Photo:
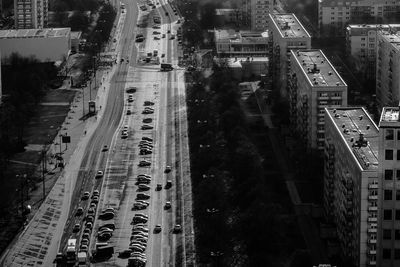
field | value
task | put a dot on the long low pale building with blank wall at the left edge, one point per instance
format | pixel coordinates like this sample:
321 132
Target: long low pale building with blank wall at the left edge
46 45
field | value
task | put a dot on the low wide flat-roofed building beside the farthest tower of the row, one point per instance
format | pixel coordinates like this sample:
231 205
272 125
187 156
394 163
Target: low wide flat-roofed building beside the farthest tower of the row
230 43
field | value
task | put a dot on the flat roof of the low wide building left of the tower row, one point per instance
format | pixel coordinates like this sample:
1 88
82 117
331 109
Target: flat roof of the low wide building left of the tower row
241 36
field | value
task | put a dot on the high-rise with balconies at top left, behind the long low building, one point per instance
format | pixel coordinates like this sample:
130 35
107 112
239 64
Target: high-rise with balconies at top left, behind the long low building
30 14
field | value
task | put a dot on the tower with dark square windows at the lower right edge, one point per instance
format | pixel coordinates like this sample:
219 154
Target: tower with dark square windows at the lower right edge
388 245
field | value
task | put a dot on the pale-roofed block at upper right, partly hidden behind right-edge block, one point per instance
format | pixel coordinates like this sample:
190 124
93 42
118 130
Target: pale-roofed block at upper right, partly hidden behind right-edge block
361 42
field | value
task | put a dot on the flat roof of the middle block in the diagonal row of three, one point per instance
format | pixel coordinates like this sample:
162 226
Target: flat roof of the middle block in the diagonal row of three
317 68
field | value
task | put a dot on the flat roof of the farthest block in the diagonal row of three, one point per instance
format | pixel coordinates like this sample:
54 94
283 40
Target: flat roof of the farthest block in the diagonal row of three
289 26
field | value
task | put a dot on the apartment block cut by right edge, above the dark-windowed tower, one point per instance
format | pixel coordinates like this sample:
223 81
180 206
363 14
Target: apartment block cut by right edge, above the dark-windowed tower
388 69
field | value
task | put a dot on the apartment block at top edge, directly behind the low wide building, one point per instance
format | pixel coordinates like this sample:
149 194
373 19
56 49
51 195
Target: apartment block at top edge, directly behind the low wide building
255 13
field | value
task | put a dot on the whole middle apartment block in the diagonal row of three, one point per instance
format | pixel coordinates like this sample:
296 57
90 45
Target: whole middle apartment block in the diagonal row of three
313 84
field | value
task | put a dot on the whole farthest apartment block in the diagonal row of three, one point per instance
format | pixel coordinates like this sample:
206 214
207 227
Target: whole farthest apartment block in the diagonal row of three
286 33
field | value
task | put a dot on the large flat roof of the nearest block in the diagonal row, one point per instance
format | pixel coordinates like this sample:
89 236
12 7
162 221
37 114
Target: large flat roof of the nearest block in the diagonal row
359 132
